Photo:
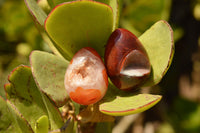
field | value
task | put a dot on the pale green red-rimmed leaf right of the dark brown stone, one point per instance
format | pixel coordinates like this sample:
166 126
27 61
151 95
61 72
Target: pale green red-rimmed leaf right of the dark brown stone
159 44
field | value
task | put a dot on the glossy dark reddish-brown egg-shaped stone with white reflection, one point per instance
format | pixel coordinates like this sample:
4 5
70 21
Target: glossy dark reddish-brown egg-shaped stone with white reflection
126 60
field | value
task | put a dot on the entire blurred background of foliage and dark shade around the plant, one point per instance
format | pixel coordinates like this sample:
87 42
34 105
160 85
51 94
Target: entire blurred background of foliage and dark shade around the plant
179 110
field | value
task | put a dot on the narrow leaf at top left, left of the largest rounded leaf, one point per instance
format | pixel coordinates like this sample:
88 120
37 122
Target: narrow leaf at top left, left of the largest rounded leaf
38 14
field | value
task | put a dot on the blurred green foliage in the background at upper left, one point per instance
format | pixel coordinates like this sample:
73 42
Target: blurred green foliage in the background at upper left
18 37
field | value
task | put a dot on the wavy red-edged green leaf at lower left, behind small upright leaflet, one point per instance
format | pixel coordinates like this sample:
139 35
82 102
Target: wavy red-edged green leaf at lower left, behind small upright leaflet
31 103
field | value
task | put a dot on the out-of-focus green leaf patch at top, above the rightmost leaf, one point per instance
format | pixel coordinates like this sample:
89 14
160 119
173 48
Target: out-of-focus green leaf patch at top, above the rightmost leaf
139 15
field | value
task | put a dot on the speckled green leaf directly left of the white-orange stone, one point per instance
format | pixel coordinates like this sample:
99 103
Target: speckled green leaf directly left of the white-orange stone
49 71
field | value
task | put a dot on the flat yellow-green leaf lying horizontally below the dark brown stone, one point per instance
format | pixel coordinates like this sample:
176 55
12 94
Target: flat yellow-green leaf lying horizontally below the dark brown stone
129 105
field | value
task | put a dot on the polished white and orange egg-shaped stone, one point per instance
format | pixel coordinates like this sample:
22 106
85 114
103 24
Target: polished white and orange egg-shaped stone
86 80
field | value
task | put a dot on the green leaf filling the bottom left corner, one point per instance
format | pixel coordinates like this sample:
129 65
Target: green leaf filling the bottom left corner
10 119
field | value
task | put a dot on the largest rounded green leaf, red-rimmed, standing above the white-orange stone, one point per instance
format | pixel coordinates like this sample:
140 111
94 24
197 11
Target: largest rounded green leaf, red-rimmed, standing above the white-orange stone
78 24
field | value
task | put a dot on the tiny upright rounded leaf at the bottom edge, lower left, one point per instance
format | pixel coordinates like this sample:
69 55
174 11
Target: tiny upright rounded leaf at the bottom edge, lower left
42 125
